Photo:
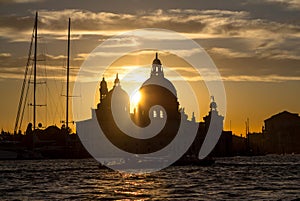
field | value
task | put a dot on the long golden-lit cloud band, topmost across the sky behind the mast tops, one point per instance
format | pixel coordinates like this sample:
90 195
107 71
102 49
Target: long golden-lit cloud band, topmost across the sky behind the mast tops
217 23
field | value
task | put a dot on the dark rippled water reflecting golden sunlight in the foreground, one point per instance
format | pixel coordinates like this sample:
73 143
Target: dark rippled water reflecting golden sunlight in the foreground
237 178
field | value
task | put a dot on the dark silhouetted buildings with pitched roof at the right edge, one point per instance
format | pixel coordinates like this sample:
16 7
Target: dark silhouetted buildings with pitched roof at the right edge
280 135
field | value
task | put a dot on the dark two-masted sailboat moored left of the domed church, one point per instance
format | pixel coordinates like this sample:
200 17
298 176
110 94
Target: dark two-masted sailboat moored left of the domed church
50 142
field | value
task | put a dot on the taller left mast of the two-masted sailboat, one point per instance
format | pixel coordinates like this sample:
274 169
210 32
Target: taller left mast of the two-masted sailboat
34 71
